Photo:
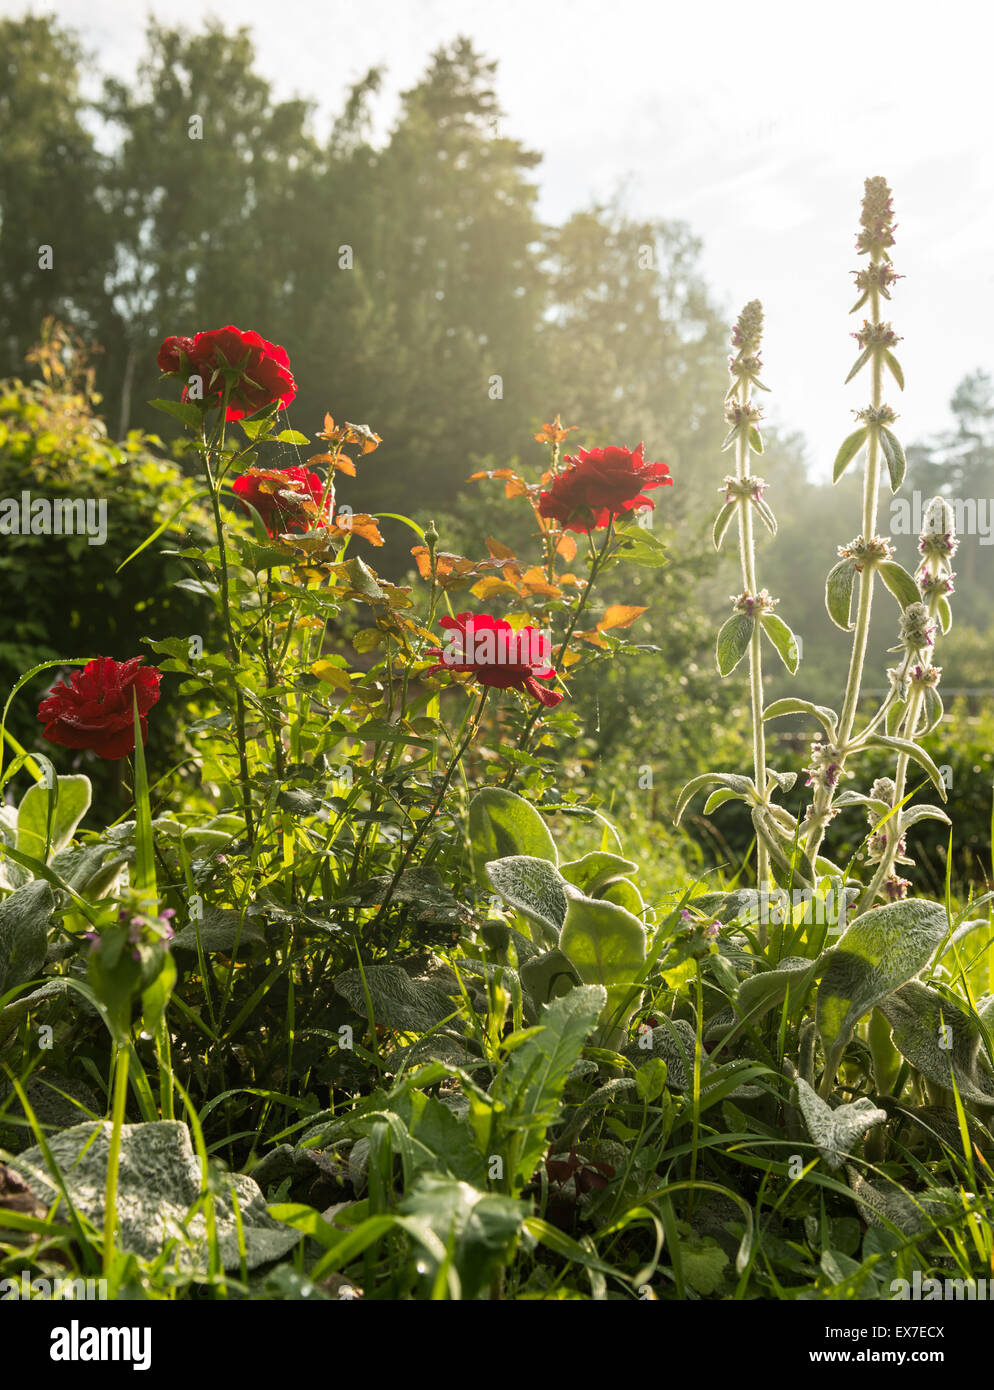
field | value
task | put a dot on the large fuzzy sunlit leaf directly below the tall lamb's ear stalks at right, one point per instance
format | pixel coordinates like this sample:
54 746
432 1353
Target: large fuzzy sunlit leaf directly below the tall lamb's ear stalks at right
879 953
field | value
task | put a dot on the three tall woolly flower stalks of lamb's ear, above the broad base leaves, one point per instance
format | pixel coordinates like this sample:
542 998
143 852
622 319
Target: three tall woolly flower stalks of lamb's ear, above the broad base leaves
790 850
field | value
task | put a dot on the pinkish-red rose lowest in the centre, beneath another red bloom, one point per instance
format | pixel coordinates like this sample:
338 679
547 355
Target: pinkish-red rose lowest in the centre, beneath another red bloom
497 654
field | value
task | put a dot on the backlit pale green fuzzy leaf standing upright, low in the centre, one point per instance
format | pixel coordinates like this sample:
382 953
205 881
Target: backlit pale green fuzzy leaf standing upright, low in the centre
607 946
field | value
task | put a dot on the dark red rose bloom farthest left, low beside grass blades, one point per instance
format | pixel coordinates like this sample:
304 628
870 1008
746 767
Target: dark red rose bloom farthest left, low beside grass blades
97 711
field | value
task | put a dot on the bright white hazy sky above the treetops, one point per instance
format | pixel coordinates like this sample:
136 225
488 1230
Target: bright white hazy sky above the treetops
756 124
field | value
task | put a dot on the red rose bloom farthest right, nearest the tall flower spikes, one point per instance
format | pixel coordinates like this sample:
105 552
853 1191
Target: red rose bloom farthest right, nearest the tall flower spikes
601 484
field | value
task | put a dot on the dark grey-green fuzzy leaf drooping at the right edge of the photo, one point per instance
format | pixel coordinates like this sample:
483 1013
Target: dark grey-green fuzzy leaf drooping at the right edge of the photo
942 1040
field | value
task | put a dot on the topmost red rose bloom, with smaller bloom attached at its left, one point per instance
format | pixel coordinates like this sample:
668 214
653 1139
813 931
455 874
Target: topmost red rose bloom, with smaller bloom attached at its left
265 373
